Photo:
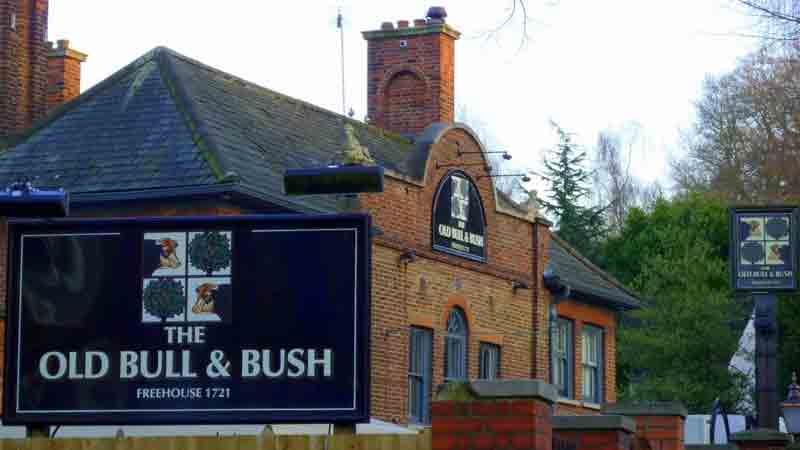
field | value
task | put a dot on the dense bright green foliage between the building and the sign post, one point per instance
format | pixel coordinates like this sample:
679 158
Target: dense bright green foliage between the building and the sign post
679 346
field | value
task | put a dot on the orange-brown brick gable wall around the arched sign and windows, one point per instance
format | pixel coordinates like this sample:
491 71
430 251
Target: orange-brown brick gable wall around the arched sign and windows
422 293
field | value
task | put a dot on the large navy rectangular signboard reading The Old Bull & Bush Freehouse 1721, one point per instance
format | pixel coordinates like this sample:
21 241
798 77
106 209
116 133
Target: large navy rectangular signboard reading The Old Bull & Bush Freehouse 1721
251 319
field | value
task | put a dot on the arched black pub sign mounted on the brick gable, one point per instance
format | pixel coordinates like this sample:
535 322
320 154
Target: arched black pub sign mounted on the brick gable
459 224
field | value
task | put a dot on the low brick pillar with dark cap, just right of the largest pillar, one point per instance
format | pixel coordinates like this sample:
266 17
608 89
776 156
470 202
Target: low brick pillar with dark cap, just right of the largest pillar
595 432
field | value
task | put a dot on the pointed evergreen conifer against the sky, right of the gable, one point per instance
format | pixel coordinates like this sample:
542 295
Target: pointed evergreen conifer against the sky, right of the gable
568 191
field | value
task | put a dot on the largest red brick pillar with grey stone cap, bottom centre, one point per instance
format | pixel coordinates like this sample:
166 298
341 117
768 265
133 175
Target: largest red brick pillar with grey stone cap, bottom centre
497 415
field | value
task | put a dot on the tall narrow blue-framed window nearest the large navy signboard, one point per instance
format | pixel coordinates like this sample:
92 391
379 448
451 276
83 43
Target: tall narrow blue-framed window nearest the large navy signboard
419 374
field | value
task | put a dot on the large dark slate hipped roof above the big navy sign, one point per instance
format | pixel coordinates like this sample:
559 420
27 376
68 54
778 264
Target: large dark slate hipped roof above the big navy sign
169 122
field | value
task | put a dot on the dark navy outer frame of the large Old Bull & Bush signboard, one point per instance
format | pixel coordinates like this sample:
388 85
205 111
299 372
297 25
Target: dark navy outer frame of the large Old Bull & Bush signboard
136 227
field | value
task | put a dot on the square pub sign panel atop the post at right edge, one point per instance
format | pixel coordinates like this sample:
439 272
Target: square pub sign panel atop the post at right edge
763 250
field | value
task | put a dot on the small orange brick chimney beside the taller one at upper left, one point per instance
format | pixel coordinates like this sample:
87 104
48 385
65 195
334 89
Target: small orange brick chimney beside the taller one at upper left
63 74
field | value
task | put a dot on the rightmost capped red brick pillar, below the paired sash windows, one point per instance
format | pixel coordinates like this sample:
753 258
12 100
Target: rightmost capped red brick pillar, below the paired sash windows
659 424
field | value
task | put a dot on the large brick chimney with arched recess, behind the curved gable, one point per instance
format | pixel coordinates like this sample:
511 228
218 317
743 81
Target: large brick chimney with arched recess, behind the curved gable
410 77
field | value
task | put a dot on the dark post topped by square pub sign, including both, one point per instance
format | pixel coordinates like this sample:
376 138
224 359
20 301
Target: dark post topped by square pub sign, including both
764 261
